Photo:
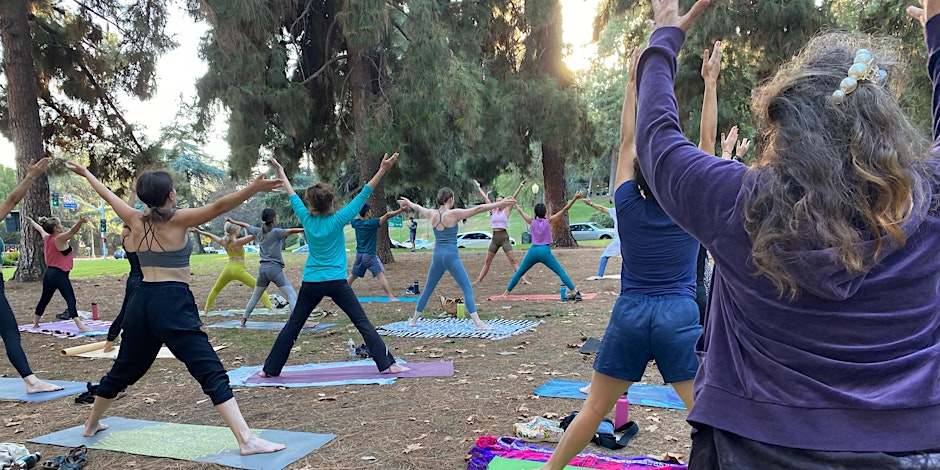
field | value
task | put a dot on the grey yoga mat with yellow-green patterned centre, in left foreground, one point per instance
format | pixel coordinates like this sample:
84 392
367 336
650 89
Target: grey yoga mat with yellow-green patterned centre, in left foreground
213 444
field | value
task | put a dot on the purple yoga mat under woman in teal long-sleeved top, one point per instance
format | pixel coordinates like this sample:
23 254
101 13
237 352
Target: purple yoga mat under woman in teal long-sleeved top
333 374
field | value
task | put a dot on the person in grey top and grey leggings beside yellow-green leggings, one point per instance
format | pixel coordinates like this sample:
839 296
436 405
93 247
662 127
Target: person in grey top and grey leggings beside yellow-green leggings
271 269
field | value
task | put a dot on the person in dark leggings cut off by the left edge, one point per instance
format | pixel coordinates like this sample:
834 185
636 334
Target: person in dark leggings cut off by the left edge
9 330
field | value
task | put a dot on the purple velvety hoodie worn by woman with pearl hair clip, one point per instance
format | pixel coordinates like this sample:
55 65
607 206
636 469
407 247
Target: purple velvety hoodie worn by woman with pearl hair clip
854 363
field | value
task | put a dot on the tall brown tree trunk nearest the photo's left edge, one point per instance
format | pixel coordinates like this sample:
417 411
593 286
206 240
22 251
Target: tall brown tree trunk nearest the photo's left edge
25 129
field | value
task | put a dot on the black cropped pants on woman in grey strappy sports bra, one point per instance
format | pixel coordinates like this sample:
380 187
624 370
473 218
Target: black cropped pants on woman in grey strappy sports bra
161 313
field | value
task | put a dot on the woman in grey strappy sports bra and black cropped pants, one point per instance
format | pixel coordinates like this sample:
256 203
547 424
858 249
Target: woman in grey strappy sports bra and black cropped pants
162 309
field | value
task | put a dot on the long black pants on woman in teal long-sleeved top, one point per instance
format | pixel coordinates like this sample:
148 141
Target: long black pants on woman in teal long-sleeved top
311 293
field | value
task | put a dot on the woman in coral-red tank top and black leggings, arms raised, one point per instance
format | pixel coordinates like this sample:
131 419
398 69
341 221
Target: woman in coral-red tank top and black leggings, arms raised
59 260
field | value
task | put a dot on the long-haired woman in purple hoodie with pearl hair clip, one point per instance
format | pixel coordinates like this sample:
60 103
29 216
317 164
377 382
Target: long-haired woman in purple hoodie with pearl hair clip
822 340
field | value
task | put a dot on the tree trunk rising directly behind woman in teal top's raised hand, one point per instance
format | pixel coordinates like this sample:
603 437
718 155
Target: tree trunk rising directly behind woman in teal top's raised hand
362 77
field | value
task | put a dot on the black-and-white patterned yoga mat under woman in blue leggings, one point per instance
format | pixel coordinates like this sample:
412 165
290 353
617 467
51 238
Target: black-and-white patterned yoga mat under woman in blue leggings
457 328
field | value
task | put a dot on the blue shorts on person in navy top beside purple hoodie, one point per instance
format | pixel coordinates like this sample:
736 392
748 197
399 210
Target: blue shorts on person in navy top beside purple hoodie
664 328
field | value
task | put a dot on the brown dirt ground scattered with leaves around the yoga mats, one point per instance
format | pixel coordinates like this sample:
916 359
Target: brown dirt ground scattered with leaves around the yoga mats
425 423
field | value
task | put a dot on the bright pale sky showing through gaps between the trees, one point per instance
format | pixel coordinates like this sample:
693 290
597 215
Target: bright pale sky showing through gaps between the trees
178 70
